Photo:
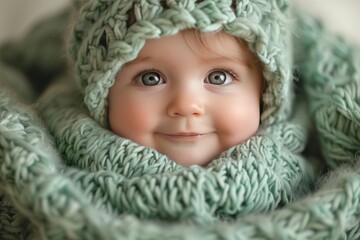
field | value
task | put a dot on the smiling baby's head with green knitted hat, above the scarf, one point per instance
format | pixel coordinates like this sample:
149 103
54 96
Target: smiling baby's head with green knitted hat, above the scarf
190 79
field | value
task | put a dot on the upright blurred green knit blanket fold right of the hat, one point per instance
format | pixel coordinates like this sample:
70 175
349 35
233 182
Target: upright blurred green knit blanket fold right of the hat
331 73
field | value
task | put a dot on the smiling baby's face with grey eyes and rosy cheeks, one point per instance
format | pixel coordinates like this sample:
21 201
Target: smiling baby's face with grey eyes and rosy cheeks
185 100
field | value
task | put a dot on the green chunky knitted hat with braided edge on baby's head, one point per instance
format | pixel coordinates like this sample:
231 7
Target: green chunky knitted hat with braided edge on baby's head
105 37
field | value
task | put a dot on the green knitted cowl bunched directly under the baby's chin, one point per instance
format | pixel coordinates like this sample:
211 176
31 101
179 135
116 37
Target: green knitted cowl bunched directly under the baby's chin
256 176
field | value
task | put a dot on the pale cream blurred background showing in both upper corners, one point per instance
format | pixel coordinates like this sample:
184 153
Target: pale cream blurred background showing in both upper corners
341 16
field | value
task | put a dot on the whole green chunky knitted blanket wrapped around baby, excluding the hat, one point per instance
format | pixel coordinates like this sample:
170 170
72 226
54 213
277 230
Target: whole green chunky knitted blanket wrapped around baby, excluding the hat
62 176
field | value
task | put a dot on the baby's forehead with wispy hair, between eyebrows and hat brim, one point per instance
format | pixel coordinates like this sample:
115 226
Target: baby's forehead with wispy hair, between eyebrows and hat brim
206 46
